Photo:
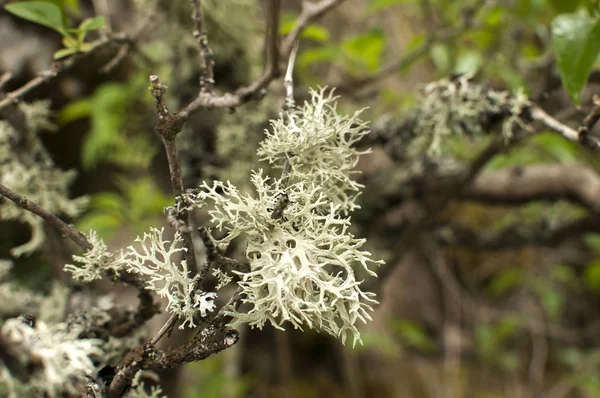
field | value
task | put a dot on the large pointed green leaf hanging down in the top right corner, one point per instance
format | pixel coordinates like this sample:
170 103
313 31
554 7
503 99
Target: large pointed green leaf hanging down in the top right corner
576 45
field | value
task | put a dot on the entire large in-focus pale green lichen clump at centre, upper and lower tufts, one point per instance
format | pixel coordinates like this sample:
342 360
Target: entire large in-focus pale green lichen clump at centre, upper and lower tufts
300 251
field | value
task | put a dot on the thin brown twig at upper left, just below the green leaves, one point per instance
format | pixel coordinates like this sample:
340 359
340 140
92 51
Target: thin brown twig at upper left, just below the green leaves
60 66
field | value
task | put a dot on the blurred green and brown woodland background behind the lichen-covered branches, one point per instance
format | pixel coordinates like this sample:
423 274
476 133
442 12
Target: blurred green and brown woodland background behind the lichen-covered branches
491 286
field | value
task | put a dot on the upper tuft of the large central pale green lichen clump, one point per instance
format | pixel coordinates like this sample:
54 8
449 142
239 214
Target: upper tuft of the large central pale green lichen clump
318 144
